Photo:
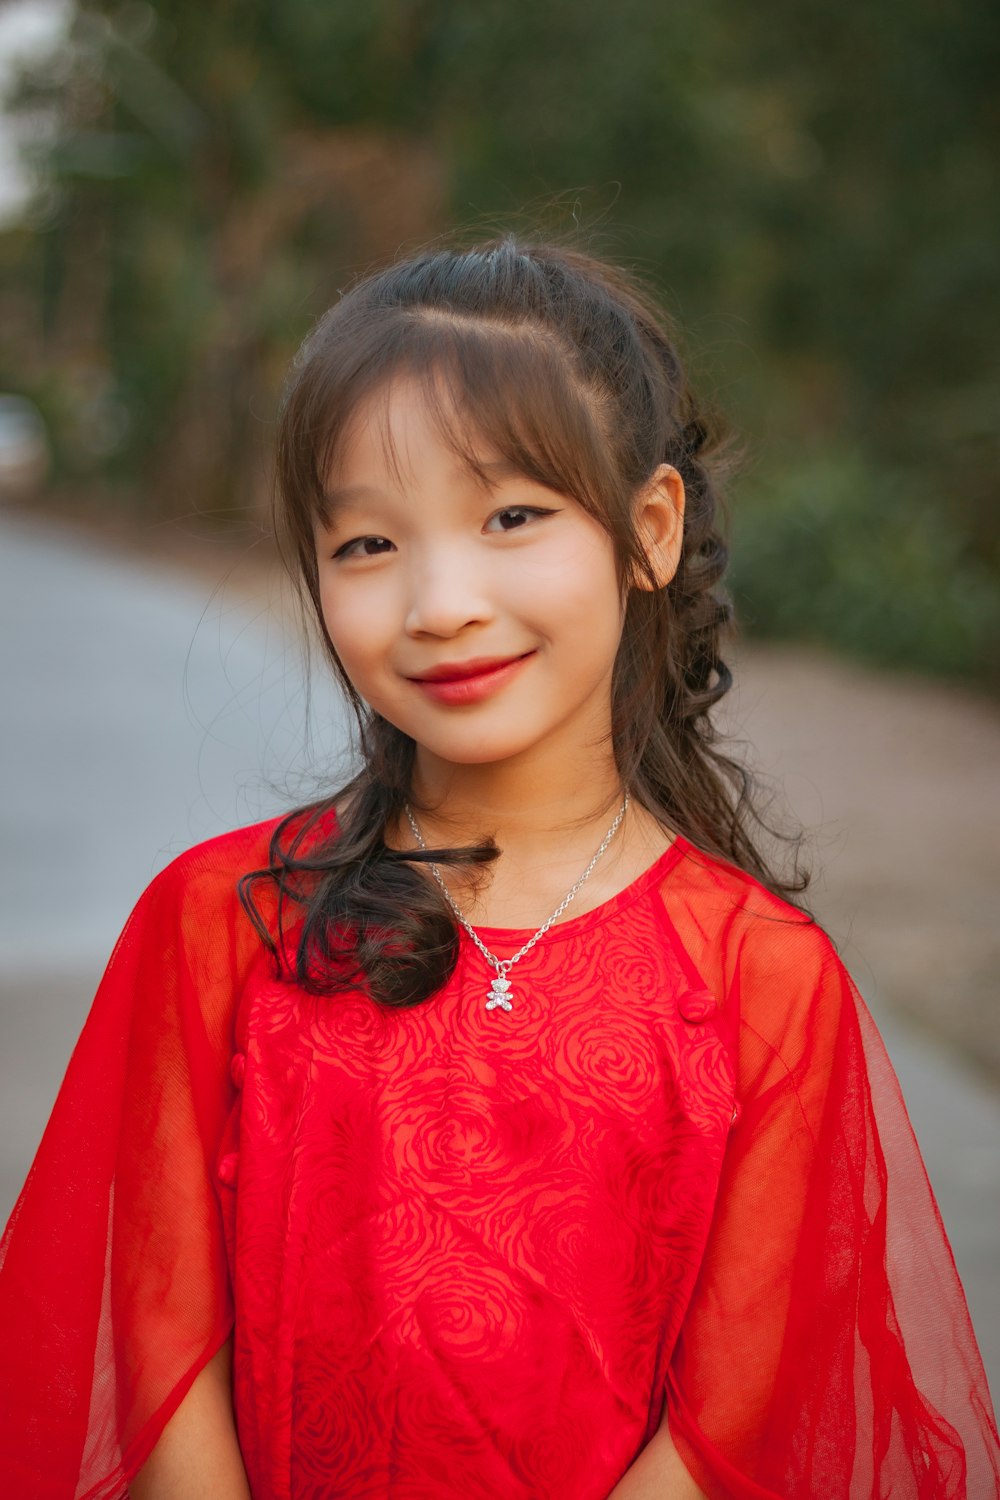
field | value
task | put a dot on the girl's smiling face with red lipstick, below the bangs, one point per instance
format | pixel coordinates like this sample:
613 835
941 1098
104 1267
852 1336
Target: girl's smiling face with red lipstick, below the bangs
484 623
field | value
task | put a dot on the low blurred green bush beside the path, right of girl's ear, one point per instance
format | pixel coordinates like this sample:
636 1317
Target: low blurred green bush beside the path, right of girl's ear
836 550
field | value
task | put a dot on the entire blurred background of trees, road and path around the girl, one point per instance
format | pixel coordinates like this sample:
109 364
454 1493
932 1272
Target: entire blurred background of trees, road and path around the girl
185 188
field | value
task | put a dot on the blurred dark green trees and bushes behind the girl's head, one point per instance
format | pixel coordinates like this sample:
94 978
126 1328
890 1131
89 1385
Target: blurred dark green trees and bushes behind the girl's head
812 188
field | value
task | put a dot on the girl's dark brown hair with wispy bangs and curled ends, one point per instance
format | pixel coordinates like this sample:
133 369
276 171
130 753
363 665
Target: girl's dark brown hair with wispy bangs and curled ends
566 368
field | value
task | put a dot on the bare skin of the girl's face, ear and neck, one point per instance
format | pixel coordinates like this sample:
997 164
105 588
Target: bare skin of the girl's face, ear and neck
422 566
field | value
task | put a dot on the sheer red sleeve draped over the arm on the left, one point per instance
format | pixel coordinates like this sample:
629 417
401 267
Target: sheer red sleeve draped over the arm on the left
115 1283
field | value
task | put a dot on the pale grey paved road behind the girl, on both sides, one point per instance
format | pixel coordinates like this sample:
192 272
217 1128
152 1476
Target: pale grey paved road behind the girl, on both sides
143 712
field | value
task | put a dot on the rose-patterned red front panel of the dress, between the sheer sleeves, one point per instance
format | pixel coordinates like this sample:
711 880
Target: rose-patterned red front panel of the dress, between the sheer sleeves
466 1237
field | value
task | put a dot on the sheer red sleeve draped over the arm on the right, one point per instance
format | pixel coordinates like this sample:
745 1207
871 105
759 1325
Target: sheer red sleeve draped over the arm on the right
828 1348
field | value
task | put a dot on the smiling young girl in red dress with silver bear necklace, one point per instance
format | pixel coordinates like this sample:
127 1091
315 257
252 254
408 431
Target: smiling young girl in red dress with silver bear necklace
496 1127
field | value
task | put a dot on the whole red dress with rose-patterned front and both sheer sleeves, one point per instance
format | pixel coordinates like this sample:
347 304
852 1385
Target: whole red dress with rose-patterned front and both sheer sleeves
469 1253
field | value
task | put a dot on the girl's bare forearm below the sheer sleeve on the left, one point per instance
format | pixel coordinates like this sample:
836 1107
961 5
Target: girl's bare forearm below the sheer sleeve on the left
199 1454
